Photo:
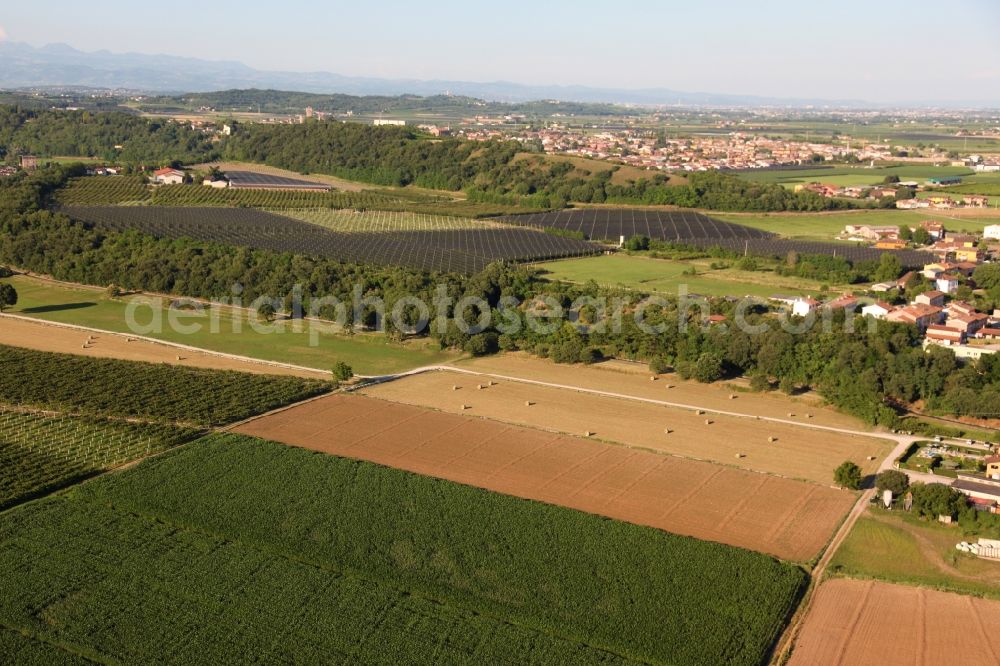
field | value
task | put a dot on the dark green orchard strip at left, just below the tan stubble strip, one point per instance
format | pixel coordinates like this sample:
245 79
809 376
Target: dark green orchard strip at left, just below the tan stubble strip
159 392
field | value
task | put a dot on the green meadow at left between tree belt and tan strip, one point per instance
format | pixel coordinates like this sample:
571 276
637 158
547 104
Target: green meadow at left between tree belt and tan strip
368 354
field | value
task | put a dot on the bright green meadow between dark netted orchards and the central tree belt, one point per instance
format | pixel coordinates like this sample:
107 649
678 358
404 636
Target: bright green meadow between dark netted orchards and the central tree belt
665 276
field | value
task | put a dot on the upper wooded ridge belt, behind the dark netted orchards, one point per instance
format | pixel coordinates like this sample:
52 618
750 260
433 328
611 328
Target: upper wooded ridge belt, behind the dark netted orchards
487 172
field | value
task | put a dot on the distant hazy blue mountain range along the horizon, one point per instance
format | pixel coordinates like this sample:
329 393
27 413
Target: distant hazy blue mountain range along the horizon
26 66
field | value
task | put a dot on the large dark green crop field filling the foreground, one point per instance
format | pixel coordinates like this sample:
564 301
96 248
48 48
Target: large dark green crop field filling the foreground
198 556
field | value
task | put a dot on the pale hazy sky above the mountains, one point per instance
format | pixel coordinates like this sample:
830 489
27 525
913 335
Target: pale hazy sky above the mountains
888 51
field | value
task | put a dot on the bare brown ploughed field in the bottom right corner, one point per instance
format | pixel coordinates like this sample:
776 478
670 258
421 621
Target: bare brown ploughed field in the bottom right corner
866 622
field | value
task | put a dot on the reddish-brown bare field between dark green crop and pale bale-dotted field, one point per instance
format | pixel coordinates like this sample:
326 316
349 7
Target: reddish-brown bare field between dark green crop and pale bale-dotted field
790 519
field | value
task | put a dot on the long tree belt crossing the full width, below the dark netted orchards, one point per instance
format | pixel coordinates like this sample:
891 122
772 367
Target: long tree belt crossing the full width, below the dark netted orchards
864 372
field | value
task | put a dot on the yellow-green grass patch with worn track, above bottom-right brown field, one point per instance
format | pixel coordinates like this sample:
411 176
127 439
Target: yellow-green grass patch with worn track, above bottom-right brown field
899 548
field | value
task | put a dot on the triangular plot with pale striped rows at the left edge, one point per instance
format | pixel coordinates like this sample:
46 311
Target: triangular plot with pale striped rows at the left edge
40 452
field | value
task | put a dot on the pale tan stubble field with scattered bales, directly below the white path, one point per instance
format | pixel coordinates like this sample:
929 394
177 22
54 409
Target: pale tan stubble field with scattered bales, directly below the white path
797 452
